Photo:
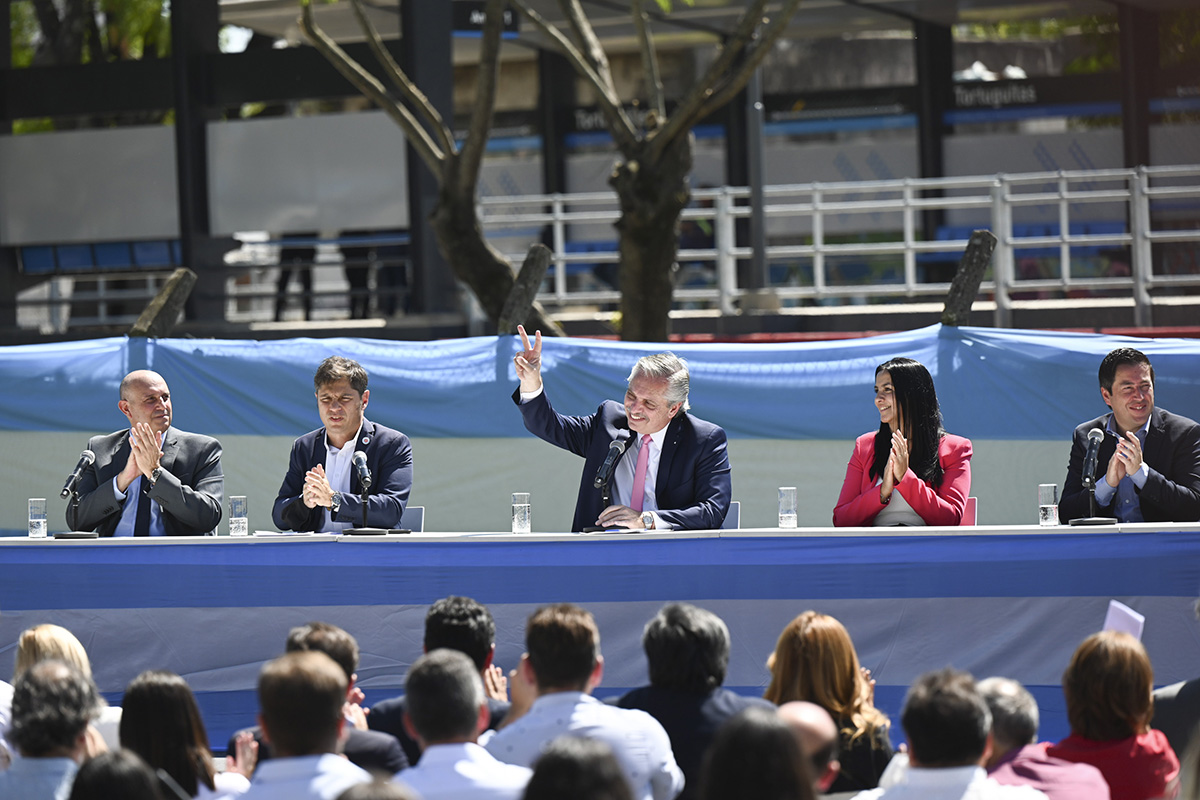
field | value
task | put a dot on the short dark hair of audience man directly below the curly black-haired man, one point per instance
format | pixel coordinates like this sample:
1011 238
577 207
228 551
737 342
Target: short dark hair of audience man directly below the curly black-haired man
443 696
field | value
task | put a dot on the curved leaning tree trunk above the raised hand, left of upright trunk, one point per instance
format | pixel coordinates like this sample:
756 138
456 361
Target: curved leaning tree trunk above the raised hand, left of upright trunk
476 262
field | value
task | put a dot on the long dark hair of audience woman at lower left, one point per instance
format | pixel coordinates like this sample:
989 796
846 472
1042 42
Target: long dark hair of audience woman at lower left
161 723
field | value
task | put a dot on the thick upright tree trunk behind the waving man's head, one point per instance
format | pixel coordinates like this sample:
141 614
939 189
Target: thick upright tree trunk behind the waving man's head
652 197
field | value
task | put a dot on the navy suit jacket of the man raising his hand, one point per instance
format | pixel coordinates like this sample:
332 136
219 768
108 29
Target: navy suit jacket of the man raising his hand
693 488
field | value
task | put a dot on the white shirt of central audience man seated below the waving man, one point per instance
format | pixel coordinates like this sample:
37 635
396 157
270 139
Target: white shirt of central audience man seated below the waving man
641 745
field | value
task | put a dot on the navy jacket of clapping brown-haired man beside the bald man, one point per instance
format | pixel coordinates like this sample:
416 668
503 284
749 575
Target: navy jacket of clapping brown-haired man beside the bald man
391 461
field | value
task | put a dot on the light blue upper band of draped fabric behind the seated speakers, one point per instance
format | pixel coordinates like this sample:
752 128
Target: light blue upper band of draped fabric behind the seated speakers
993 384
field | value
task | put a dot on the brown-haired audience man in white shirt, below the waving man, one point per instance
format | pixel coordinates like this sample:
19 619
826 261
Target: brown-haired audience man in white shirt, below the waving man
561 667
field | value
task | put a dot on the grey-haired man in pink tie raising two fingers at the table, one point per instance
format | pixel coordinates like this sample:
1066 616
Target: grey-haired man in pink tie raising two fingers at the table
686 478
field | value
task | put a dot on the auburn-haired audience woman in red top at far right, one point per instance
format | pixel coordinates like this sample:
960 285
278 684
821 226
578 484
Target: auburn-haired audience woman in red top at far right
1108 688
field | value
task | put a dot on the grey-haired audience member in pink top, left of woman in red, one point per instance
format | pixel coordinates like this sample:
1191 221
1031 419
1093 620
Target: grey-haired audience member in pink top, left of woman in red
1017 760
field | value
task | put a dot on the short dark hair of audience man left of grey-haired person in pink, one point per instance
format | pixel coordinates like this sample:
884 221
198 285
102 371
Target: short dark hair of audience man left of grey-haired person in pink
946 720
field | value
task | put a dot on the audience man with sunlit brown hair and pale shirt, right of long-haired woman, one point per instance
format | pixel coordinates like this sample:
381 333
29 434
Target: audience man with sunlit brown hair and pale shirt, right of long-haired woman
301 697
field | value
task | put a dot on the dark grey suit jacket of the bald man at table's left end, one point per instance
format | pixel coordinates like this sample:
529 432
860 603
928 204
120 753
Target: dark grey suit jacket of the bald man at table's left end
190 491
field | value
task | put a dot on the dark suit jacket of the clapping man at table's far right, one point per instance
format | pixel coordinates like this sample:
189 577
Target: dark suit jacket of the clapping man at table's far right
1172 455
